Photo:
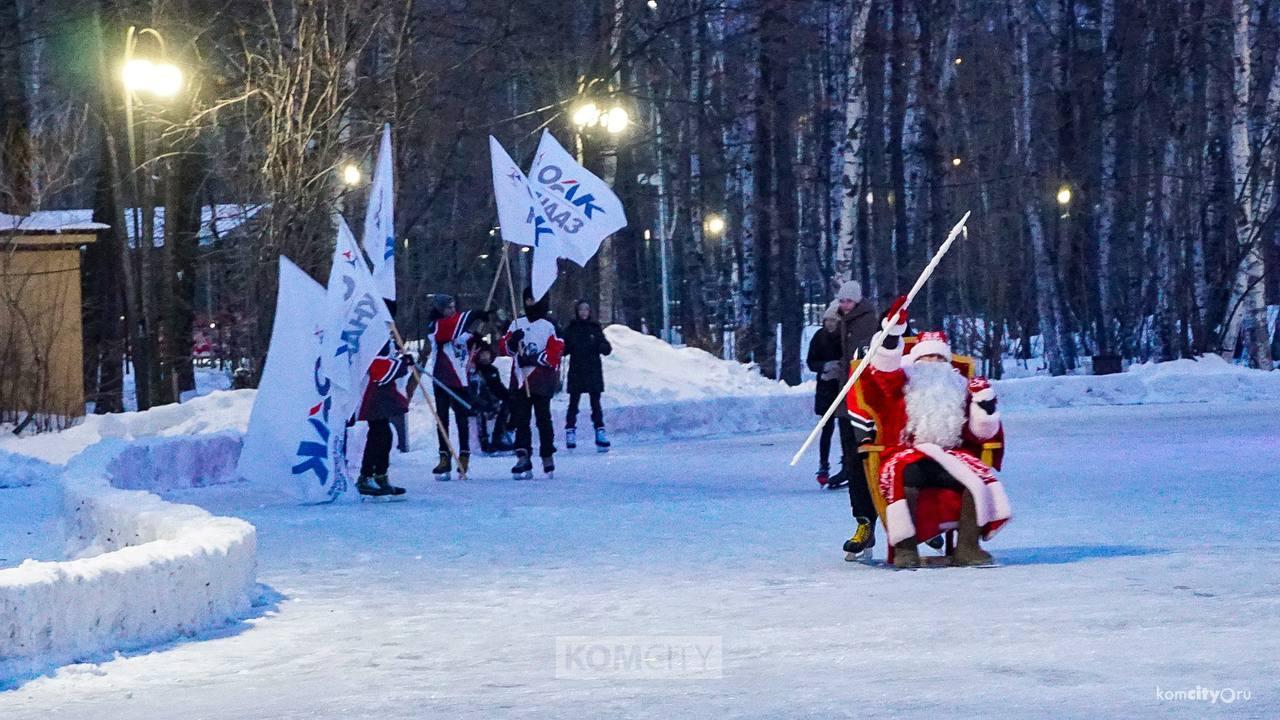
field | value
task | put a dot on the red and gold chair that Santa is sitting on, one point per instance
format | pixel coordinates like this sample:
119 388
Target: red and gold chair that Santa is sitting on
938 508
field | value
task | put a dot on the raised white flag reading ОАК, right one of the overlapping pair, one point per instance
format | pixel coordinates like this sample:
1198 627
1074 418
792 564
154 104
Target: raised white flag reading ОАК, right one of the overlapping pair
580 208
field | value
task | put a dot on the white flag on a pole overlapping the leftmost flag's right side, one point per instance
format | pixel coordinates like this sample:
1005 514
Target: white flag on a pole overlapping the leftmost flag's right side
356 322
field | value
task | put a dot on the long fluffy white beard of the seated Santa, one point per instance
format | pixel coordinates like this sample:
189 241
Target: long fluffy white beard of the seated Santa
936 395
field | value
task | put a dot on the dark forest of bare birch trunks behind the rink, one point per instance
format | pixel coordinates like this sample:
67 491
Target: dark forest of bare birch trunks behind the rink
1121 161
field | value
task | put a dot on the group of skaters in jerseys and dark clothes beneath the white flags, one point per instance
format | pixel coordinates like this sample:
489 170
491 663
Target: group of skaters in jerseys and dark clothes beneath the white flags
459 363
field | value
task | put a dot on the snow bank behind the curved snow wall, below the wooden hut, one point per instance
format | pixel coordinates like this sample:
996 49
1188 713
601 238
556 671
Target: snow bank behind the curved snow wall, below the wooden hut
226 411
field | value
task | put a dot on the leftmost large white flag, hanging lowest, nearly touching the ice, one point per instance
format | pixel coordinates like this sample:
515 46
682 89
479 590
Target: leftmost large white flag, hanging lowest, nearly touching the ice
295 435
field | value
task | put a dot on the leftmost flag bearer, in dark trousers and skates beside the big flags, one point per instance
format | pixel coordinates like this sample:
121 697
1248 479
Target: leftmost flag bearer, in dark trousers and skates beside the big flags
382 402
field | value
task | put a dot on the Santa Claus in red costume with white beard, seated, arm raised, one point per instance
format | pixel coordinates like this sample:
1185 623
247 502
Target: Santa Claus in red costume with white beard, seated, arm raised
934 422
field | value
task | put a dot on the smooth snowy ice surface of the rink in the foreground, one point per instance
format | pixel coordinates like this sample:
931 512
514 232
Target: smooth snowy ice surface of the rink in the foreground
1141 559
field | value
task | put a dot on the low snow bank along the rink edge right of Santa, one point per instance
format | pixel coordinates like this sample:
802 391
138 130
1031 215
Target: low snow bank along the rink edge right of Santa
1206 380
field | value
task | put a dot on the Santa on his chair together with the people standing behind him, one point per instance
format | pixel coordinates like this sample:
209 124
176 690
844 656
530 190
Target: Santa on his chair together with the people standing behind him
931 421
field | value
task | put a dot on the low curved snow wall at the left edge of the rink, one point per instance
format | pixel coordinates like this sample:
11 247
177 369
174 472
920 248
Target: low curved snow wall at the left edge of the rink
143 571
